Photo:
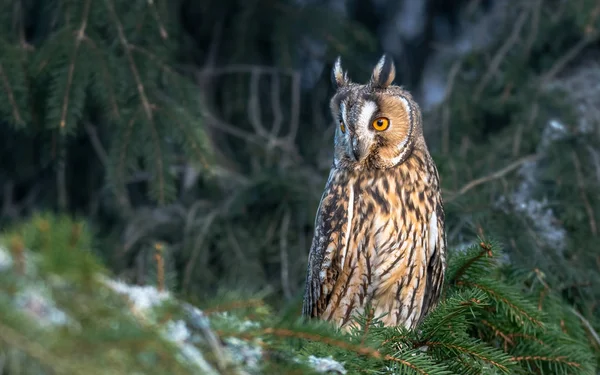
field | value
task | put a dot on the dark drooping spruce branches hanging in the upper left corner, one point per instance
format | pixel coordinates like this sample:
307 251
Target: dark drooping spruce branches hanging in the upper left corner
103 70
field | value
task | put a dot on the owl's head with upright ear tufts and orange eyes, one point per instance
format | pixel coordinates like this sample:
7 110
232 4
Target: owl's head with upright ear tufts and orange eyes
378 124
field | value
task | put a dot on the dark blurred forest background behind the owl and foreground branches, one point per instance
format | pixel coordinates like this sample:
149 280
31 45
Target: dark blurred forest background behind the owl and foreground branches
202 127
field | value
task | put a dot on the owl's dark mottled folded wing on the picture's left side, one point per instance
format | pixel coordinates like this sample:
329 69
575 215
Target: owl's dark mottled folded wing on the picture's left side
323 265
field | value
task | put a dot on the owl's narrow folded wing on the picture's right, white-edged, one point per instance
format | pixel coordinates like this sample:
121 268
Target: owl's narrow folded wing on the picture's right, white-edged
437 260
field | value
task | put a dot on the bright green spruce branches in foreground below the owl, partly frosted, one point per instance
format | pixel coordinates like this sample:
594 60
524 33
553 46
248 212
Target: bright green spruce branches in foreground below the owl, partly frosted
61 313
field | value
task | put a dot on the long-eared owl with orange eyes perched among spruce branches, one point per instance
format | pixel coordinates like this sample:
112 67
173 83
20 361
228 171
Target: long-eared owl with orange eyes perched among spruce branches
379 239
